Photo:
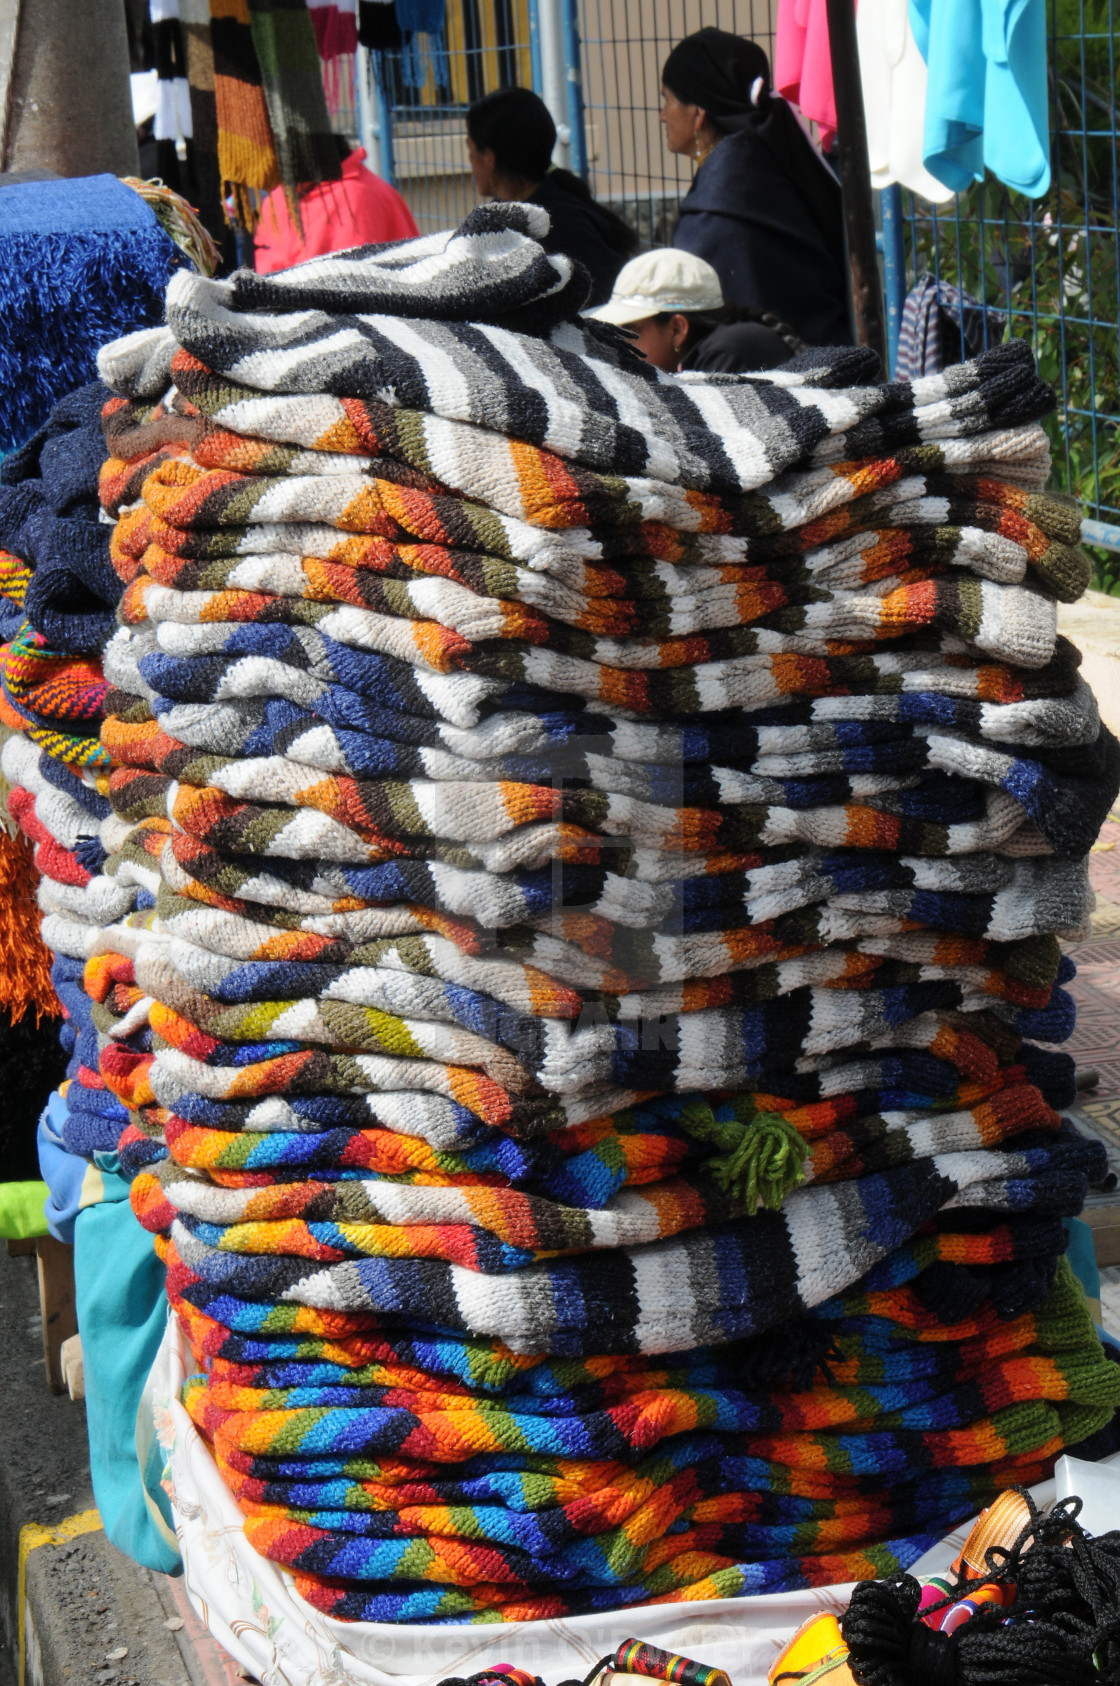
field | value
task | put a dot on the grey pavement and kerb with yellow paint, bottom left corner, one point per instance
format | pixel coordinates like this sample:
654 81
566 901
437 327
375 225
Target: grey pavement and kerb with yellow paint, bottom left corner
73 1609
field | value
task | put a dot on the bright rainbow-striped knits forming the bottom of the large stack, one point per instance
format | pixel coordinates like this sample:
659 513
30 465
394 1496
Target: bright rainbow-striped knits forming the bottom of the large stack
532 1511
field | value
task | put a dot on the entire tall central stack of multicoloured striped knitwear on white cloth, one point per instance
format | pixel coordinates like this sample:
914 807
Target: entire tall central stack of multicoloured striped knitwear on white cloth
611 837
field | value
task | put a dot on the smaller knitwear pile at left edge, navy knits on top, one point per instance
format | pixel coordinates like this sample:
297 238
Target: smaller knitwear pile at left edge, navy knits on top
58 609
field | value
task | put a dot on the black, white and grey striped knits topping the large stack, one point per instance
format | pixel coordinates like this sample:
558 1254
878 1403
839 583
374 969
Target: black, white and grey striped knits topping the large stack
620 417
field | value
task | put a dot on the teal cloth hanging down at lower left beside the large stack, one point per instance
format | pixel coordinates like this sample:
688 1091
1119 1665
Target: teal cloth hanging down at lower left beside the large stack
122 1313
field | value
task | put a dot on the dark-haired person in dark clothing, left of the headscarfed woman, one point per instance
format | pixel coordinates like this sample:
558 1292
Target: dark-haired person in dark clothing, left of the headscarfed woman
510 141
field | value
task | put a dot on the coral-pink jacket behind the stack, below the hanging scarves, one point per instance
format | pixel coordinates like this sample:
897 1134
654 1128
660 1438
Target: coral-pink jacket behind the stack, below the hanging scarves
360 210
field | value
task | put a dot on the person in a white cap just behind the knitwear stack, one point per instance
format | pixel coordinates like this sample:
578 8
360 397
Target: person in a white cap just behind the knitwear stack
672 304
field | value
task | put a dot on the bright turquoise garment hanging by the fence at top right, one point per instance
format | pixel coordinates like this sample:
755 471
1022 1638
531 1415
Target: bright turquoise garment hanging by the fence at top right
988 92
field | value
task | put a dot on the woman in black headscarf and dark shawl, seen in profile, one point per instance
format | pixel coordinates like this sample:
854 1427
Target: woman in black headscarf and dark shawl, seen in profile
765 208
